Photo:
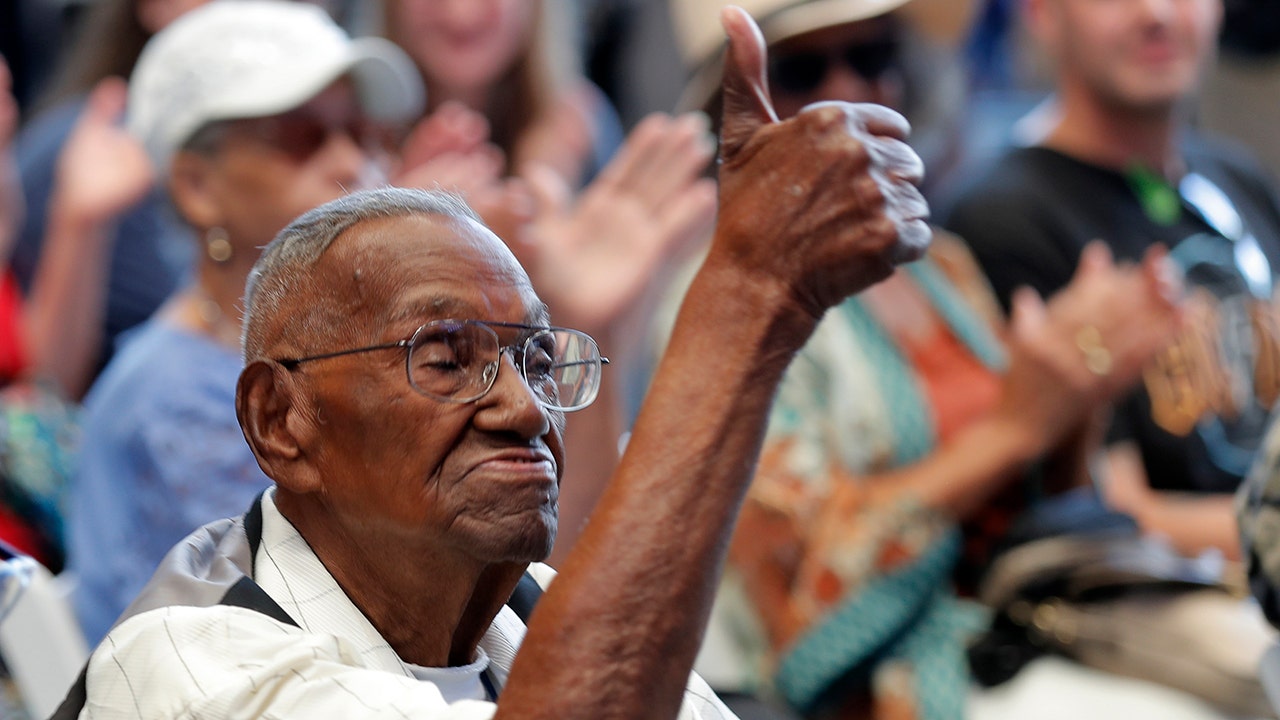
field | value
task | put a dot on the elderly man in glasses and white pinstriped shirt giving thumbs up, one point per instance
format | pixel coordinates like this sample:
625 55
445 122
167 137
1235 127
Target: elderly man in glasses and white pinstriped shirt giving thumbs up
406 394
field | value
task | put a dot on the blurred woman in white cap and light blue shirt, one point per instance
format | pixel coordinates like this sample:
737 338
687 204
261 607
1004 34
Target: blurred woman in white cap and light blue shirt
253 113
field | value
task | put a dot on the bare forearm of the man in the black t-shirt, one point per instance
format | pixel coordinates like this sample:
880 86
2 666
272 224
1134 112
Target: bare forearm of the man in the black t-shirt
1192 523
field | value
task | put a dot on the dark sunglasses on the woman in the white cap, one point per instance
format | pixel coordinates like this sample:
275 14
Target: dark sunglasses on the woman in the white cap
301 134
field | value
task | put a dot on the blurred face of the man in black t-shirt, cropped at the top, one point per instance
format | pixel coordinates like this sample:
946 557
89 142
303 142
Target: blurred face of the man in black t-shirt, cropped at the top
1131 54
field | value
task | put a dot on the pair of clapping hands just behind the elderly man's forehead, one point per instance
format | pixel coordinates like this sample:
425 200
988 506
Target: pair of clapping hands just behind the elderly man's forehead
592 257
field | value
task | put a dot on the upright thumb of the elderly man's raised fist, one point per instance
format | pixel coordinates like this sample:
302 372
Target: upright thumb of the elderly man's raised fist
744 86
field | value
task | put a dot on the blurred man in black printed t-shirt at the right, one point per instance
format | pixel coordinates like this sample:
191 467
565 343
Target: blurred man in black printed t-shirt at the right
1116 161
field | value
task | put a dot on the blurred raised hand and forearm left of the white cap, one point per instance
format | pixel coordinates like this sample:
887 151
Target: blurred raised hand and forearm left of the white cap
102 172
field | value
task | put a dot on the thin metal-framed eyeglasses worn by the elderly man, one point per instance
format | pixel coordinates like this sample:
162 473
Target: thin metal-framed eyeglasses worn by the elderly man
458 362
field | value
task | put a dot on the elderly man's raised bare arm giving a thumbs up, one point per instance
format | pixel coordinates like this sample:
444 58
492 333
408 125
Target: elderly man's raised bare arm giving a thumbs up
804 222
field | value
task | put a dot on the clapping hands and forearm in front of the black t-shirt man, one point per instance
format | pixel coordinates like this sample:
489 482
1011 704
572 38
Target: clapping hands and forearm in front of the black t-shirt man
1050 394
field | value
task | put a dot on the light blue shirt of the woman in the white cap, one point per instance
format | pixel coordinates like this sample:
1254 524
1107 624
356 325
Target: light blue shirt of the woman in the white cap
163 454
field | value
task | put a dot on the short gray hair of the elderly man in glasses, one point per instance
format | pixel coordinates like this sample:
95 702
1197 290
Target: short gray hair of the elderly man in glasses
285 268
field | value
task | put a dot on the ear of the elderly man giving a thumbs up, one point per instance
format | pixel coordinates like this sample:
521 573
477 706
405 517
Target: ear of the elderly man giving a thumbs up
276 425
